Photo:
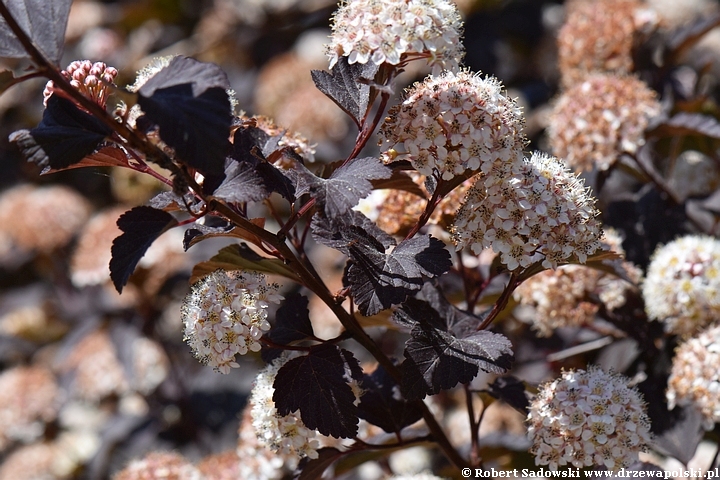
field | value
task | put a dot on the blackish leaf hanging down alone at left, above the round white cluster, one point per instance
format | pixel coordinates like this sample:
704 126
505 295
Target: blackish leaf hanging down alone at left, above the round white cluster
140 227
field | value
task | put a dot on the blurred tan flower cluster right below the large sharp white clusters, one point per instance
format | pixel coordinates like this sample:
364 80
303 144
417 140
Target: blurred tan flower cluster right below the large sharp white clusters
564 297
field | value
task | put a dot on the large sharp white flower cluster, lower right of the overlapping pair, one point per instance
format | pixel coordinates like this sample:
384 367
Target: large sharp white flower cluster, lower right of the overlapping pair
542 211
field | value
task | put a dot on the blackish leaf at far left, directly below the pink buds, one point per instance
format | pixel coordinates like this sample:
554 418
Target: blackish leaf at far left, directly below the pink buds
64 136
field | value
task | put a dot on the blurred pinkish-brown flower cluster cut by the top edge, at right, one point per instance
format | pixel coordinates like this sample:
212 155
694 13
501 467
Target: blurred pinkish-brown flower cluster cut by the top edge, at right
598 36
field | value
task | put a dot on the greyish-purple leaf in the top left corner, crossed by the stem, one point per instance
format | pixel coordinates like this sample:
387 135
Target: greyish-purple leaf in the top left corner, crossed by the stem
44 22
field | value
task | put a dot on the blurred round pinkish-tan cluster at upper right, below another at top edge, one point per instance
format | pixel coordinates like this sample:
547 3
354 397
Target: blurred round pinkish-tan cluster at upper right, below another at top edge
598 119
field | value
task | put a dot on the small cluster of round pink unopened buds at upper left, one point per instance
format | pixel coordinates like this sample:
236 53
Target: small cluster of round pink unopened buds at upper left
90 79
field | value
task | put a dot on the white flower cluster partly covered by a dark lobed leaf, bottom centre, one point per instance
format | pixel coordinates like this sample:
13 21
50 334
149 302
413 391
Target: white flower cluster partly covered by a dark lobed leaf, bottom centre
285 434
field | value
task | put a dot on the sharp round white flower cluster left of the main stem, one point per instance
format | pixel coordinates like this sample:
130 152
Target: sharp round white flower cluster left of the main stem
225 314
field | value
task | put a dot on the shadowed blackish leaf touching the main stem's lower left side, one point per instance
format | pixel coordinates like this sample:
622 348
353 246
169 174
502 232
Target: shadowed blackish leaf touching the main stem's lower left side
382 405
